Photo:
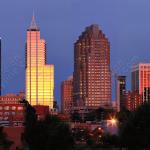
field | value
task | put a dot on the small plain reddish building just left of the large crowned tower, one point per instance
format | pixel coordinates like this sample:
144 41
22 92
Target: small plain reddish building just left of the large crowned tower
67 95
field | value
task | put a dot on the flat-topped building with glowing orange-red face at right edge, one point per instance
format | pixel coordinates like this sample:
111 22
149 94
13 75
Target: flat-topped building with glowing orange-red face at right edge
140 80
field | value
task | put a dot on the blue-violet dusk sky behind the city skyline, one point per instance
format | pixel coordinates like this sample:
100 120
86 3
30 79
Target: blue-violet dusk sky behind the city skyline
126 23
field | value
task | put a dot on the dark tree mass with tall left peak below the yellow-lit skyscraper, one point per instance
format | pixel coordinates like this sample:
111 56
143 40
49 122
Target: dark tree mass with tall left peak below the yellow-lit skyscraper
48 134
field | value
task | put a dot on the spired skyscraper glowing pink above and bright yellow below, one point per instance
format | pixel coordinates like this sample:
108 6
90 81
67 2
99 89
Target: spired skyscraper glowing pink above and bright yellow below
39 75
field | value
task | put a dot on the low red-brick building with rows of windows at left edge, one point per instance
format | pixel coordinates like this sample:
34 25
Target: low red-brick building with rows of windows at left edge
11 110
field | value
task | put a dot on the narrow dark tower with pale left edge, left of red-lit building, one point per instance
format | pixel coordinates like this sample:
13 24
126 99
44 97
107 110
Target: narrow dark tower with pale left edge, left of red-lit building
120 91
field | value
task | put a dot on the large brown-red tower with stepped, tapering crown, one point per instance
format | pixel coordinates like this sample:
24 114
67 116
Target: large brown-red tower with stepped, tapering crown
92 76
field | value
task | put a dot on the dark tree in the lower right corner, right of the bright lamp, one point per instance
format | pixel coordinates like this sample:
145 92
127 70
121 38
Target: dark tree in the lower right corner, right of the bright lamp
135 133
